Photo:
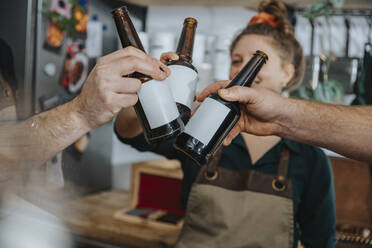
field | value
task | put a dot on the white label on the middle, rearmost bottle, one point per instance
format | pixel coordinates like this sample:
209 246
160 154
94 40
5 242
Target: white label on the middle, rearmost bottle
182 82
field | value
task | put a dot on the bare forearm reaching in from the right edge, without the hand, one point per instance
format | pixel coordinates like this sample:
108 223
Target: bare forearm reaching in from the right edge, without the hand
344 129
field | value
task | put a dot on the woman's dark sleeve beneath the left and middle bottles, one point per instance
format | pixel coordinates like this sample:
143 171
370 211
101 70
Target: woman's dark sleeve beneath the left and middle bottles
164 148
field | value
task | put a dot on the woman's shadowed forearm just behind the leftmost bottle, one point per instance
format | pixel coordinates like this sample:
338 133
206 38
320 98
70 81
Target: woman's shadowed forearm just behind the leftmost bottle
127 124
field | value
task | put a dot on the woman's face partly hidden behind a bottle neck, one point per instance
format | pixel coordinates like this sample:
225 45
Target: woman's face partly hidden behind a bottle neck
274 75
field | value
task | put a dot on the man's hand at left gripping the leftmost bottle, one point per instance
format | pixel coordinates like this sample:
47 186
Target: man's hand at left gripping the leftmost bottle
107 90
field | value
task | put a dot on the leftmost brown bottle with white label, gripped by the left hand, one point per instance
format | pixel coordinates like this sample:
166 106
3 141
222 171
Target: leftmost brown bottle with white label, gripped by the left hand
156 109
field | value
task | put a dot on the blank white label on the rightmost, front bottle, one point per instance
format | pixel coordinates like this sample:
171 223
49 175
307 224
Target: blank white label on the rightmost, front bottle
205 122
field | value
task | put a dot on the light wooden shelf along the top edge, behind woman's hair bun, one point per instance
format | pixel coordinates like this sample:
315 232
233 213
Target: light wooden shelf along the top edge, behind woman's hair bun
349 4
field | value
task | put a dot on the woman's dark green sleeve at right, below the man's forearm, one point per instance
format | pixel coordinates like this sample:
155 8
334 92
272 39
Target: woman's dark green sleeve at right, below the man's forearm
317 214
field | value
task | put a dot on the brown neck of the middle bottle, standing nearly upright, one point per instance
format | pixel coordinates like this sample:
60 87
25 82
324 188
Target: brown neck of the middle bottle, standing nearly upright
186 42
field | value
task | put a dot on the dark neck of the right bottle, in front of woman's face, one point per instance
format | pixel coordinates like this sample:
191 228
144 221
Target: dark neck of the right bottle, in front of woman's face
247 75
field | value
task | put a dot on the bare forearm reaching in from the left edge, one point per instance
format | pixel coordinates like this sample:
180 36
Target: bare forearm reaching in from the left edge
32 142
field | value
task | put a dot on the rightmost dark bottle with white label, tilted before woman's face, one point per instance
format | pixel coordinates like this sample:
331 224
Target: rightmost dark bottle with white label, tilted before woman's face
215 118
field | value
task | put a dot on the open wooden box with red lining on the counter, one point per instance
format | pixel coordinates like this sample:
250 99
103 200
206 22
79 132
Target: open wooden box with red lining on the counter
155 195
